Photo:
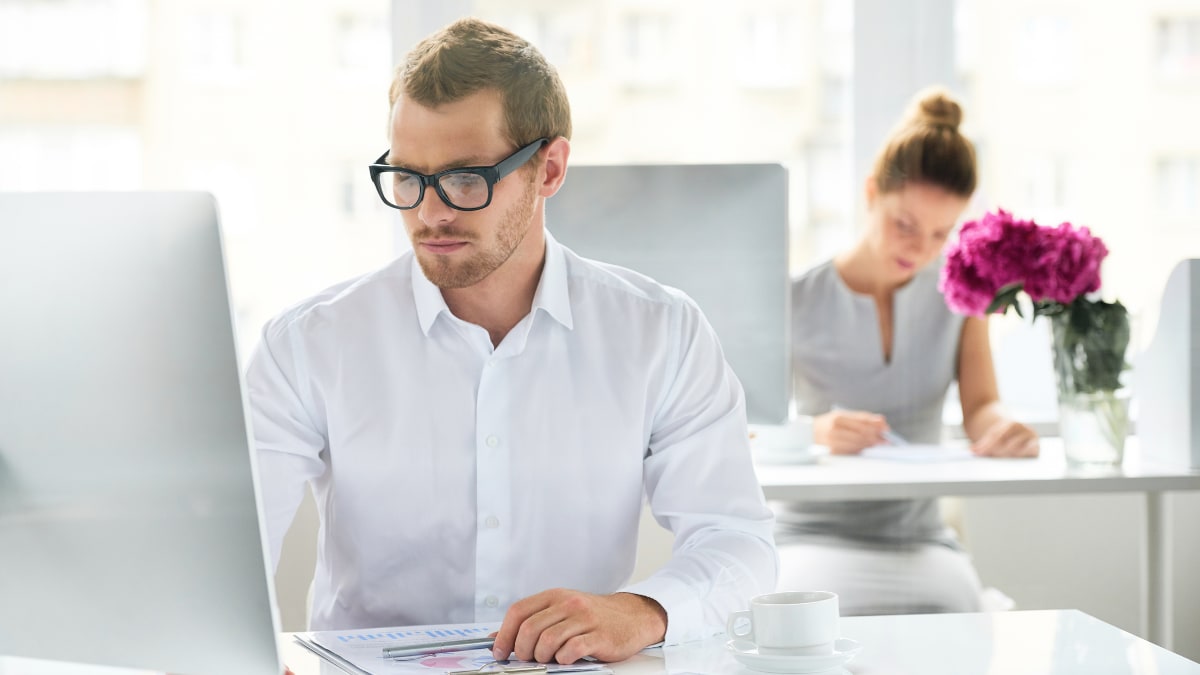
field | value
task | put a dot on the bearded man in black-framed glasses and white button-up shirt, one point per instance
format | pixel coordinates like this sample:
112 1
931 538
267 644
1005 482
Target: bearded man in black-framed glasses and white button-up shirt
482 419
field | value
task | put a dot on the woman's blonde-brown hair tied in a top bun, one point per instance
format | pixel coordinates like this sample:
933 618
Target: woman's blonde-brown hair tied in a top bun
927 147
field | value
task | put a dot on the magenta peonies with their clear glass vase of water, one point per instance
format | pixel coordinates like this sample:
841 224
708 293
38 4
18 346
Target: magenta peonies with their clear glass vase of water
997 260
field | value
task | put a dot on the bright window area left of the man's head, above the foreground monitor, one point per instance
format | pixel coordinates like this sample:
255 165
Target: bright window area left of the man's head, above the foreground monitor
271 153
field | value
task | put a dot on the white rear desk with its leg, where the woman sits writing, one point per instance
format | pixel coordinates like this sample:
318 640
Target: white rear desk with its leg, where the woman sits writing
835 479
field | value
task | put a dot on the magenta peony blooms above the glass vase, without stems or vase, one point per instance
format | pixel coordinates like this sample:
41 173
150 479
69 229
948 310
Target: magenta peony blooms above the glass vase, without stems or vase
999 252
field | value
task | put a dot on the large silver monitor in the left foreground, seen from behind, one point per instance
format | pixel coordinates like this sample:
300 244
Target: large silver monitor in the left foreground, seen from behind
129 522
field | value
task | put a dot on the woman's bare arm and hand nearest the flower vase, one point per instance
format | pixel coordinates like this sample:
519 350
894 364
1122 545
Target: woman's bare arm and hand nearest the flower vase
992 432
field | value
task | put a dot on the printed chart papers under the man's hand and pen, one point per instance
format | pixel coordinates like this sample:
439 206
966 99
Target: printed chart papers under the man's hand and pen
361 653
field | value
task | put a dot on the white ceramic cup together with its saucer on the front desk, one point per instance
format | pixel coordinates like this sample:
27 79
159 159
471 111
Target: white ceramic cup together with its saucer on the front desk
790 632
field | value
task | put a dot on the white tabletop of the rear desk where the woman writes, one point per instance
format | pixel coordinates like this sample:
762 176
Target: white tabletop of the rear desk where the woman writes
835 479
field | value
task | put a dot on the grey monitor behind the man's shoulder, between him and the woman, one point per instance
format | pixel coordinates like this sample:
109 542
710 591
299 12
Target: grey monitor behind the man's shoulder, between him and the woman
718 232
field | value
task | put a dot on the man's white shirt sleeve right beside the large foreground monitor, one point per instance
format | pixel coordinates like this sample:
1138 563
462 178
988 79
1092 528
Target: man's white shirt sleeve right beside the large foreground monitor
290 440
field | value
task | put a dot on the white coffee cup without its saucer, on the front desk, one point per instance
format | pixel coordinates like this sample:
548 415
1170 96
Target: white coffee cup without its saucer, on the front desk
790 623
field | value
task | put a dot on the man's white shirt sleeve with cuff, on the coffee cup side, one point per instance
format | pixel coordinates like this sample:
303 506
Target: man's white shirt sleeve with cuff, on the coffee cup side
701 486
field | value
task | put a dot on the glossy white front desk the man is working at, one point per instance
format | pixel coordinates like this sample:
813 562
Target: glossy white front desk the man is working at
1018 643
